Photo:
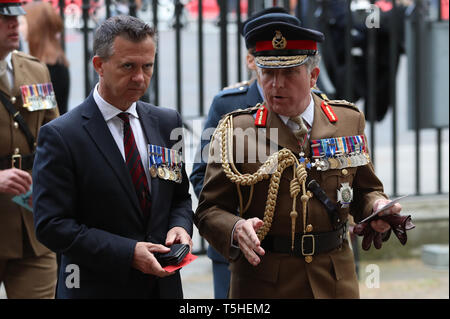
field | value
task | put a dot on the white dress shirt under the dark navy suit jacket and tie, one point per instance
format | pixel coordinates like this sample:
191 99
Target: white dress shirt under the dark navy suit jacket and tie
115 125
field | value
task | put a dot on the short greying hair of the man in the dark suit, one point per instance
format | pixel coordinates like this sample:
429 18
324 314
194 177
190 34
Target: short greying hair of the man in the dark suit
131 28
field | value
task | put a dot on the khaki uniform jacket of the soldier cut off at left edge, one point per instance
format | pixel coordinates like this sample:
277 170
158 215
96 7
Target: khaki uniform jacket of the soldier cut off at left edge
16 223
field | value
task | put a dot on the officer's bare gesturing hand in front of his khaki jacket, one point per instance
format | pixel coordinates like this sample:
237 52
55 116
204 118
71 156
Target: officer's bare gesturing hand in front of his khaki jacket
245 236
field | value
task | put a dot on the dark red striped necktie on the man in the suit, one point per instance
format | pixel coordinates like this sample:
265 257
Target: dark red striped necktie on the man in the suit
135 167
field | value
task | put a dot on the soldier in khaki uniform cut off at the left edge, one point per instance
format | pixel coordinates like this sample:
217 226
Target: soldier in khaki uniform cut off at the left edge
27 268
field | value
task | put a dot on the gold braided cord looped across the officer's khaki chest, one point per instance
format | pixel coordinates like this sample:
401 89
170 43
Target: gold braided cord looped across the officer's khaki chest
282 160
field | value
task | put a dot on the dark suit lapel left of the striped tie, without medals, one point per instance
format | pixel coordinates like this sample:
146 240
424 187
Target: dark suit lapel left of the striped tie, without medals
100 134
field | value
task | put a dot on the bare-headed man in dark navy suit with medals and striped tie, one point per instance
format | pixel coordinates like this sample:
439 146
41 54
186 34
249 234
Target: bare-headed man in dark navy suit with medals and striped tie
96 199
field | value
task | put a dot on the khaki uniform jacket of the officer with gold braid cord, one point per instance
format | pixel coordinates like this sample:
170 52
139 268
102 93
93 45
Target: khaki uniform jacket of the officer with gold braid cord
329 275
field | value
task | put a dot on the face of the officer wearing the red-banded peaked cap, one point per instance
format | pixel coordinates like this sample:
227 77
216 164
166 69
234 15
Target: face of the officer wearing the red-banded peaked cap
287 90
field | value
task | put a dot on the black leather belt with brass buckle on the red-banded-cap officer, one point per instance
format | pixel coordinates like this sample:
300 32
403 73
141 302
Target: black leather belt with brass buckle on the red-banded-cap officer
308 244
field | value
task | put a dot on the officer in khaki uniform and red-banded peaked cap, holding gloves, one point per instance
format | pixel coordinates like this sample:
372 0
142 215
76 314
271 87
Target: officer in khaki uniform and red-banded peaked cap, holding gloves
291 169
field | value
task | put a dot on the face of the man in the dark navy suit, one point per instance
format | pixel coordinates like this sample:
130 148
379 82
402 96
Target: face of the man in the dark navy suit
125 76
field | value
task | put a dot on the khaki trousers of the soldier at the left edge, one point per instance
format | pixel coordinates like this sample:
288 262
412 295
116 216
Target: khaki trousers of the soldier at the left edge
30 277
